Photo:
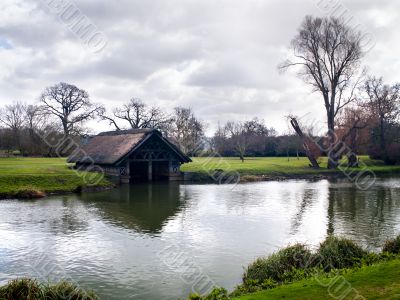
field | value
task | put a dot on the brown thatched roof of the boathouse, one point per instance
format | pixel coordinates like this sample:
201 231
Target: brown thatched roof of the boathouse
110 147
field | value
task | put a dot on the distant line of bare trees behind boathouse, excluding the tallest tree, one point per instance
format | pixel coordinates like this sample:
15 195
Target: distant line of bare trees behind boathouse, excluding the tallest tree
369 126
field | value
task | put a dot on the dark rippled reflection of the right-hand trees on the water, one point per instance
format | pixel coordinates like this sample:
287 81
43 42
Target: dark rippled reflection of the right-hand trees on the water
370 216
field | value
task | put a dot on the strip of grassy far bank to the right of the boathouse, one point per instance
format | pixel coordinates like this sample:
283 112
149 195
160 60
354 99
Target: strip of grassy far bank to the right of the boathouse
270 167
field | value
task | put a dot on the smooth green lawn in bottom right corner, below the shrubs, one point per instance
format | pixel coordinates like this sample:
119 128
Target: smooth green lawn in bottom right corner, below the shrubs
380 281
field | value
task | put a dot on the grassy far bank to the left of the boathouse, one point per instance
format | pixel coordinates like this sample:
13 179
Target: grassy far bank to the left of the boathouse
35 177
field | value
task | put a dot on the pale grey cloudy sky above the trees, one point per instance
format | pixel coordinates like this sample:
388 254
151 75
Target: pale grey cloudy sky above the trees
219 57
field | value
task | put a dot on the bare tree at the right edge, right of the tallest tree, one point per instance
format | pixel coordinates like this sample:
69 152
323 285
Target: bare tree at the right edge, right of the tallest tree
384 104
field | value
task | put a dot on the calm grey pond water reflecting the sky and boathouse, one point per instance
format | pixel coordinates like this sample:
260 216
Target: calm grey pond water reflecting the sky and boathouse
153 241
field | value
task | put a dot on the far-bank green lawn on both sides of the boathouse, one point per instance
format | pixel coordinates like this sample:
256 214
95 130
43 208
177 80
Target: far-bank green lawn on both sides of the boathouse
53 175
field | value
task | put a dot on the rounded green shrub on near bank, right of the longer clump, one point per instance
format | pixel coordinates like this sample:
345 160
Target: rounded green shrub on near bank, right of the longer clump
339 253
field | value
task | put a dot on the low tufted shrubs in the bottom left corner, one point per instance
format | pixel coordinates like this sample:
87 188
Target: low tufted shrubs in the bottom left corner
25 288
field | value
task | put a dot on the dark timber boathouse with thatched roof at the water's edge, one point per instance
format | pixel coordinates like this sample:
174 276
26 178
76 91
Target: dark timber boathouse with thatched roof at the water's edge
132 156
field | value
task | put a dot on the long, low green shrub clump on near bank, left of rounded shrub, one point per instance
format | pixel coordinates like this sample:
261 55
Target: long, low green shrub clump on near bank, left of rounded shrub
279 266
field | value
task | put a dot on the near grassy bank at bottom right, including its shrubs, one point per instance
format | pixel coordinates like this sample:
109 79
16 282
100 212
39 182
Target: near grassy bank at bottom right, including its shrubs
338 269
